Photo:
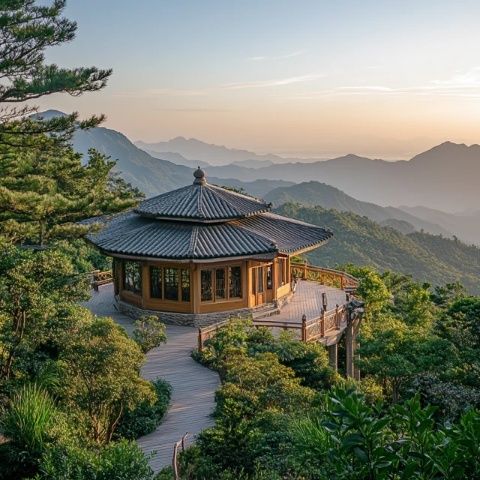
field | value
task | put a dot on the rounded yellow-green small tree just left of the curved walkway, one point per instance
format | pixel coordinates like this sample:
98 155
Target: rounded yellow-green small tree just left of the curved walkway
102 380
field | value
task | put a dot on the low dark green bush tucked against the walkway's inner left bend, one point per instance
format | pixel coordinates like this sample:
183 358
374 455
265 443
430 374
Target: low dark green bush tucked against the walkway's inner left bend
146 417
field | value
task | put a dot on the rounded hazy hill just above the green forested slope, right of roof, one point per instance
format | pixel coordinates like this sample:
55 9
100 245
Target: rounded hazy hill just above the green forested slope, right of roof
316 193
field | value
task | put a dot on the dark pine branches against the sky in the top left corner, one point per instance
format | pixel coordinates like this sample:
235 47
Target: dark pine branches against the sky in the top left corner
27 30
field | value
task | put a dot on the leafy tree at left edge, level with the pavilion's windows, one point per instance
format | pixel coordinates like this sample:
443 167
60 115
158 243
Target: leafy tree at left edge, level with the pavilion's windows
38 292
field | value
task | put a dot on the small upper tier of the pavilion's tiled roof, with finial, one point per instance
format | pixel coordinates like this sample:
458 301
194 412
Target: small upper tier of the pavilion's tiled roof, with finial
201 202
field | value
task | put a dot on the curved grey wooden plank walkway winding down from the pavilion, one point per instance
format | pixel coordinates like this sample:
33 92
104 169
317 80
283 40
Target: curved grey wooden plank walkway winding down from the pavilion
194 386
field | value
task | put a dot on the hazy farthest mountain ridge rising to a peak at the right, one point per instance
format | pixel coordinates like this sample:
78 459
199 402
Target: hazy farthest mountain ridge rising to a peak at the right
443 177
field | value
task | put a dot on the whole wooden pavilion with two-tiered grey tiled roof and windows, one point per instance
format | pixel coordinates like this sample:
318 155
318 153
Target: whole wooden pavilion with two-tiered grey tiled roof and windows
203 253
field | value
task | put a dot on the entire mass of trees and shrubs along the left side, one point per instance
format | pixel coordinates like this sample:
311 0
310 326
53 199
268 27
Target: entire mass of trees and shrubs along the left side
67 378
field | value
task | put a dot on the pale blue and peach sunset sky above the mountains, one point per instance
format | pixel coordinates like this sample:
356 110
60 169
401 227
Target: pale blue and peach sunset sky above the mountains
386 79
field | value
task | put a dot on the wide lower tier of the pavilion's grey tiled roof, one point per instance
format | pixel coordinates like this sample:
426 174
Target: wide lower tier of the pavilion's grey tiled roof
130 234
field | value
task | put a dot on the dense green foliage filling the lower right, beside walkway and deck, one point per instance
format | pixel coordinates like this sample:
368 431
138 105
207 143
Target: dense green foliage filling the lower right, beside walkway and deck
282 413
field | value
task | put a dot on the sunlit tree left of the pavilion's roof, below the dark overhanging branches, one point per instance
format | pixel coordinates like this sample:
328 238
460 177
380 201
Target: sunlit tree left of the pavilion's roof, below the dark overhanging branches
45 191
